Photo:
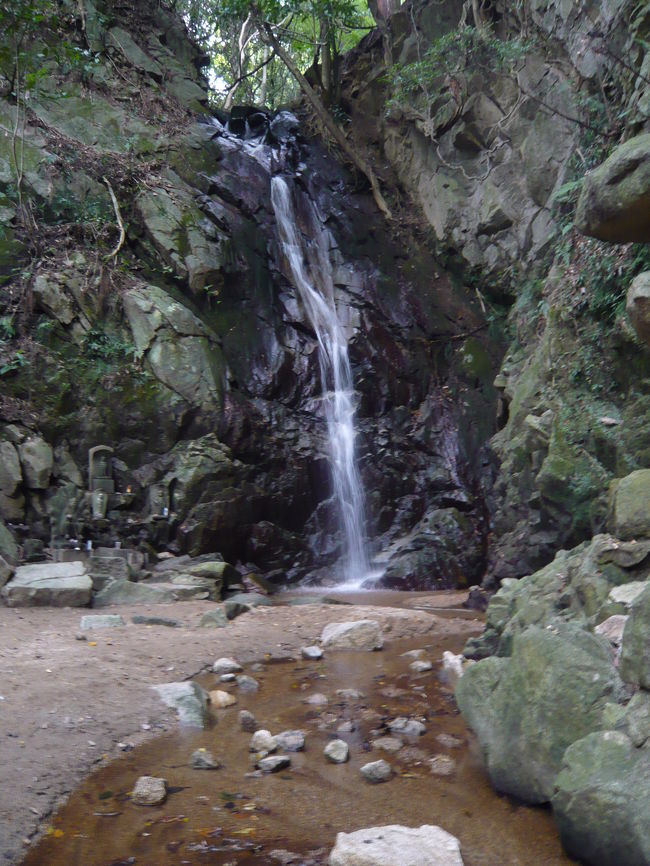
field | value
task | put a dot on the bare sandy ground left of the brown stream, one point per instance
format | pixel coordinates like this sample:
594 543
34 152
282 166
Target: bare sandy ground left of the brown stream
67 703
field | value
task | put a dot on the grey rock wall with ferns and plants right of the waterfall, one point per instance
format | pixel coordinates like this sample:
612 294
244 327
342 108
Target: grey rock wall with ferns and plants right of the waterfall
490 137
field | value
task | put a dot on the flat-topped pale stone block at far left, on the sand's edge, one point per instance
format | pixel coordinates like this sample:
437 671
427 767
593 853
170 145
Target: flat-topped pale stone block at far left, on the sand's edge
55 584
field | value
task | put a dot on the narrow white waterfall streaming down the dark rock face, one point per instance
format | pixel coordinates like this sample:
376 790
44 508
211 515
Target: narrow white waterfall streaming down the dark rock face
311 270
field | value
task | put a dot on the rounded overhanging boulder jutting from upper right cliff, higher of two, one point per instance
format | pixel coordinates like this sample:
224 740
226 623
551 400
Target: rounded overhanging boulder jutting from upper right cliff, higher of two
614 204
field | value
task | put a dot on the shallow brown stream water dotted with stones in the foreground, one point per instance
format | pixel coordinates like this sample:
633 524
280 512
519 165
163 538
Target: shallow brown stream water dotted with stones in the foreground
228 817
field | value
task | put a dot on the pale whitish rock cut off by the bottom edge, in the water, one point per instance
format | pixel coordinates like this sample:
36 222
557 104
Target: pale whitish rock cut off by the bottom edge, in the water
393 845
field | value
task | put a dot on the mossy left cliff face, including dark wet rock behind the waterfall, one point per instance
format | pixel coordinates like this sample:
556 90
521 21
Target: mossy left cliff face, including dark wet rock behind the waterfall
186 351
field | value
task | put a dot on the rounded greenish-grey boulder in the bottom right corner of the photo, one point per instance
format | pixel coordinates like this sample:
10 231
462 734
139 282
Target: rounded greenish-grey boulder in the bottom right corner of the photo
602 801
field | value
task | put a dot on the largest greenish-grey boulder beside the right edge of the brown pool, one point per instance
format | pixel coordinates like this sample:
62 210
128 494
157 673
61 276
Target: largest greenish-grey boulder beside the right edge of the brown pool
527 709
